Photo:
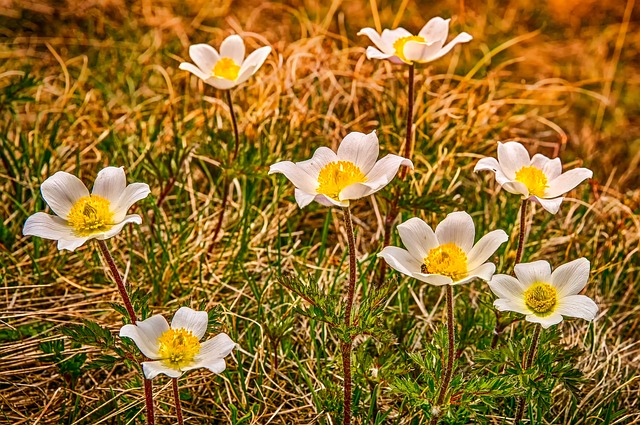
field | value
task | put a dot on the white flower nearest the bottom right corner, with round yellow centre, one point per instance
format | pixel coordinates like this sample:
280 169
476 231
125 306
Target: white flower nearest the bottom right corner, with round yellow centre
544 296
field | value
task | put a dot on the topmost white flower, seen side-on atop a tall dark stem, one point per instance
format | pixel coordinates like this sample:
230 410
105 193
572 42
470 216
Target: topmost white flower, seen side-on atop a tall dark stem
400 46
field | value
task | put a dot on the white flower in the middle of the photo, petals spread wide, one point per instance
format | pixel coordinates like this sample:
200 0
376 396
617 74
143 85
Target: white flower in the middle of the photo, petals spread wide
335 179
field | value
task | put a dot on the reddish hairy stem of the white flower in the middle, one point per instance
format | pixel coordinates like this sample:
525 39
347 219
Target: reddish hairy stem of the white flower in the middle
346 346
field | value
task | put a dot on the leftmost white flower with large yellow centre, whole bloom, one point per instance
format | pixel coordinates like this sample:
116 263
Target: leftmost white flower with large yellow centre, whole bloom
82 216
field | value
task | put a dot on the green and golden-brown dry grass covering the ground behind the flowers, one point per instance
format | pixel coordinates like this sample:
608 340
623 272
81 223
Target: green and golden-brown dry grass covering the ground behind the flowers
89 84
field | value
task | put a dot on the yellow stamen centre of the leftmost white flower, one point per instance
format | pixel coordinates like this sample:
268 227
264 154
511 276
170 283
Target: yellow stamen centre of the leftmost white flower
90 215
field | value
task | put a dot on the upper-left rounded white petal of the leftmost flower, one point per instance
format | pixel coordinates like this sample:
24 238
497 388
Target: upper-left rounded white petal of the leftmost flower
61 191
